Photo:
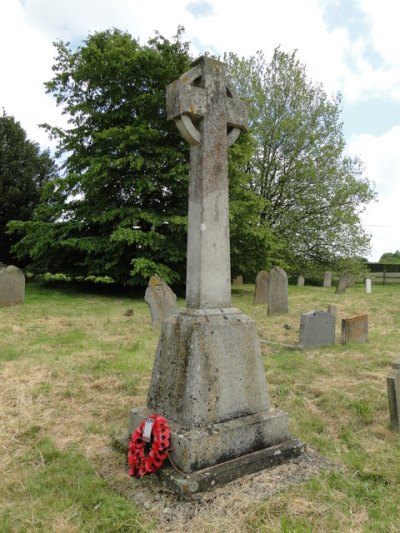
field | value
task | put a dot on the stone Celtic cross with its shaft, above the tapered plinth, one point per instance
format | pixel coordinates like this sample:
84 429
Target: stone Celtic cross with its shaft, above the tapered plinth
210 117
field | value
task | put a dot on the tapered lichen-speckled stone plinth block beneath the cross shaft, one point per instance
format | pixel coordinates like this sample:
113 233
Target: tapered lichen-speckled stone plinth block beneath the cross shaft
208 368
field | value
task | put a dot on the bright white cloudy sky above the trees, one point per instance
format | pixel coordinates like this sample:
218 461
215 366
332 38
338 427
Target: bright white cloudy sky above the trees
351 46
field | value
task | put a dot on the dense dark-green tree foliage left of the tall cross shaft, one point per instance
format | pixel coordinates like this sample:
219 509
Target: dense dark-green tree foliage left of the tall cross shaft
119 211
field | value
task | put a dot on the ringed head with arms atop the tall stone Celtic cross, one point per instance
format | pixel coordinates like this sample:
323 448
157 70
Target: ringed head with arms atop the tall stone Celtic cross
198 93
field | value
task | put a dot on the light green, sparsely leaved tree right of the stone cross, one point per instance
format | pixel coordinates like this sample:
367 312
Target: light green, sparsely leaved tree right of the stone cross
313 191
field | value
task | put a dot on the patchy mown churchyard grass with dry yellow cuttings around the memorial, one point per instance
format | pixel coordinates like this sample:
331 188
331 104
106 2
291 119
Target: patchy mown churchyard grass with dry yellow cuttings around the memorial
73 363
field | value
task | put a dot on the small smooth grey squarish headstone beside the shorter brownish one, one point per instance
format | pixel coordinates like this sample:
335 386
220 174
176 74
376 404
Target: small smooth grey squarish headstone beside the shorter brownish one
317 328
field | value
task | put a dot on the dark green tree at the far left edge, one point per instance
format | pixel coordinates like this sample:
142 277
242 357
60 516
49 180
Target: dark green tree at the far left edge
24 169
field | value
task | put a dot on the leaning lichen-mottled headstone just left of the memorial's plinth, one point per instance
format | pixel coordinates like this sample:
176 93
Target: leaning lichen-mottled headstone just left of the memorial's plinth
161 300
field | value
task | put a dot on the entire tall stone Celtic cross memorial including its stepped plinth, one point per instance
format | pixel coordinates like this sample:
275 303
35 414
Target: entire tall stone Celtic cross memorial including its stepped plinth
208 378
